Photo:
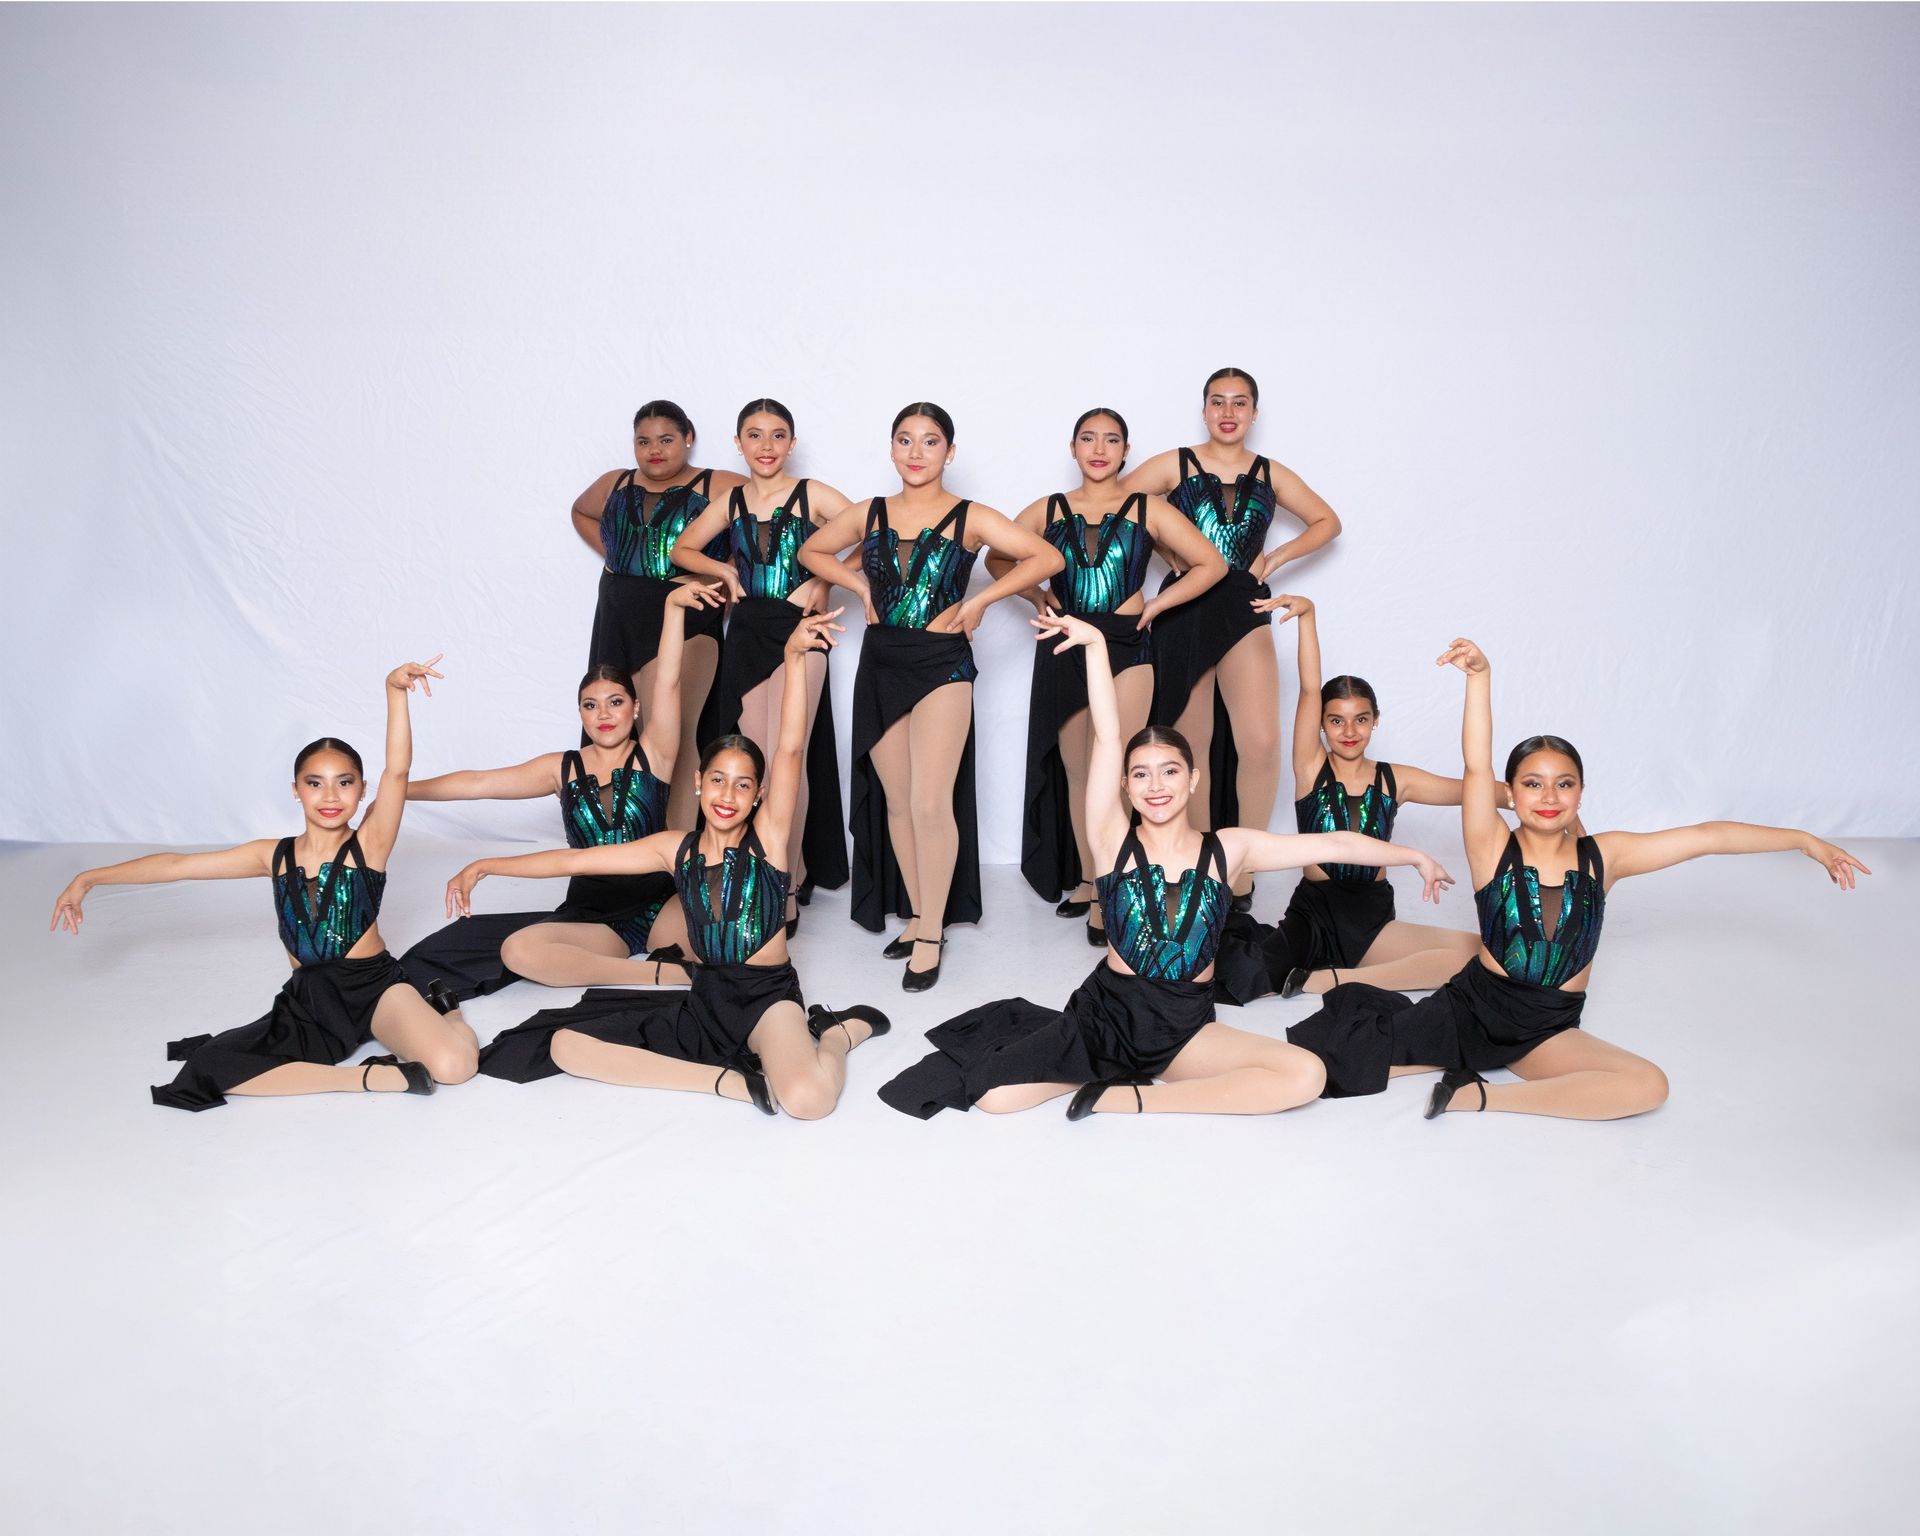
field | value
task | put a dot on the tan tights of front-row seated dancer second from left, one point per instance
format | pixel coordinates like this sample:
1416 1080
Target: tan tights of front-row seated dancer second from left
805 1076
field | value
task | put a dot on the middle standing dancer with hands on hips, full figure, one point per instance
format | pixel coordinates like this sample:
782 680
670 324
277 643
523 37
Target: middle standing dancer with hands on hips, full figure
915 832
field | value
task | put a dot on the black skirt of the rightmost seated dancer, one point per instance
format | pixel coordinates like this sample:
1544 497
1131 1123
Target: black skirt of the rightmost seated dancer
1479 1020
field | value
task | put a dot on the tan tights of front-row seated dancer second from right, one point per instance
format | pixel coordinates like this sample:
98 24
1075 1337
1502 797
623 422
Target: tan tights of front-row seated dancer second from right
1220 1072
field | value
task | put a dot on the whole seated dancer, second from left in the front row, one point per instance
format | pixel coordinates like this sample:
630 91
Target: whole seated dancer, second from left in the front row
742 1032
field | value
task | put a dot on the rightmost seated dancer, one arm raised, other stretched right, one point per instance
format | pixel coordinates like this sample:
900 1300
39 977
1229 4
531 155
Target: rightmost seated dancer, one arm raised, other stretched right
1543 896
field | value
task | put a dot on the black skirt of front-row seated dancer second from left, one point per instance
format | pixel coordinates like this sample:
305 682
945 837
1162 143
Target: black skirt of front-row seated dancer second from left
708 1024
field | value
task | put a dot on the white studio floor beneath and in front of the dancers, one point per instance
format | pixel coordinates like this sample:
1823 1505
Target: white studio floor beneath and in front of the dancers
581 1308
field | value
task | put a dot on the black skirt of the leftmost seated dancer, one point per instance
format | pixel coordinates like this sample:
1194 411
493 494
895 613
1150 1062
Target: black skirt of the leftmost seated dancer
324 1015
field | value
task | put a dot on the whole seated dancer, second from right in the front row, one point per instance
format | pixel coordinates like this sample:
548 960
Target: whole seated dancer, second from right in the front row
1147 1011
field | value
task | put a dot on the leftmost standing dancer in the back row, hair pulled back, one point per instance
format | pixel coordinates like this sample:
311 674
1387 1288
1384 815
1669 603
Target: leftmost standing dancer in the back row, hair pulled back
633 519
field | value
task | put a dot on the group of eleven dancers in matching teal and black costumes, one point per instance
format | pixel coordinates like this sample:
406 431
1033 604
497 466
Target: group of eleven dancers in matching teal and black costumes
698 827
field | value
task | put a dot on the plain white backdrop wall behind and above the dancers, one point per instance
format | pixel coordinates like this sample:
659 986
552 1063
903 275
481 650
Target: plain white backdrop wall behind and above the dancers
1596 325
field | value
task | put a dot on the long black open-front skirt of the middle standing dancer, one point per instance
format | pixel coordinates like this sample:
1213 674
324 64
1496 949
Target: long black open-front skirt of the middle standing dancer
898 671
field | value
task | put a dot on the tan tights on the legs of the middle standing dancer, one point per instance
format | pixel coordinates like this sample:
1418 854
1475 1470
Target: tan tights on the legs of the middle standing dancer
919 761
